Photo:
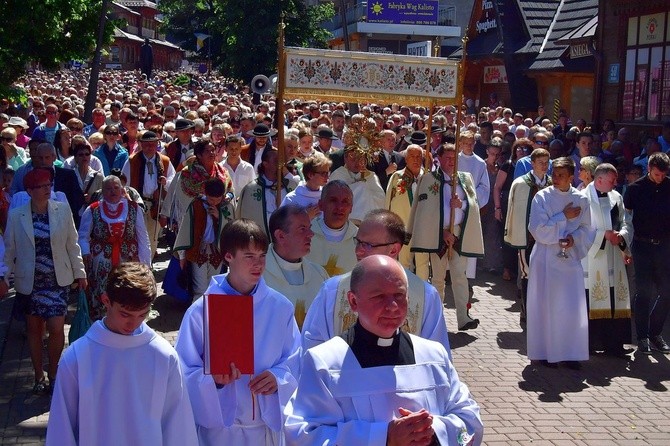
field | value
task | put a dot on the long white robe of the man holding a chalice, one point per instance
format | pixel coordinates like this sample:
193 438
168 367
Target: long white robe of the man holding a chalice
557 324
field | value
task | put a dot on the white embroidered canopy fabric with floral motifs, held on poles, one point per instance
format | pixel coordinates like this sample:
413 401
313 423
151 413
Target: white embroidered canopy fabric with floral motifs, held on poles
368 77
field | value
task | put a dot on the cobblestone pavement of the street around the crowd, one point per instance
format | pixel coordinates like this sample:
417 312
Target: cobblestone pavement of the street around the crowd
610 401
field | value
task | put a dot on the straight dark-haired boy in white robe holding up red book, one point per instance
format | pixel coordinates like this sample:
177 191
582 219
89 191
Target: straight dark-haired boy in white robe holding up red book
236 409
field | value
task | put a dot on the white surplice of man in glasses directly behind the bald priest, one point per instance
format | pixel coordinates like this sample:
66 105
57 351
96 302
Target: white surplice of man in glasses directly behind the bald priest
319 323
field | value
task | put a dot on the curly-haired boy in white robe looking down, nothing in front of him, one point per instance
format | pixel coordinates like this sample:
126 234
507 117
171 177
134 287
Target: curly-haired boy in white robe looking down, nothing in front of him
121 383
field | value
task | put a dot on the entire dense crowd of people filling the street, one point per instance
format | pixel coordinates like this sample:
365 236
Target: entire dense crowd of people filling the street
346 241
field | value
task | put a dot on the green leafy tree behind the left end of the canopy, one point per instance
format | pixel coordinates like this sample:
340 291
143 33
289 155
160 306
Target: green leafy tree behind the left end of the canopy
244 32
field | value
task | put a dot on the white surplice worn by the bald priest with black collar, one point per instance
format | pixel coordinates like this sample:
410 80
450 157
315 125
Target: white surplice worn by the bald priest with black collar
338 402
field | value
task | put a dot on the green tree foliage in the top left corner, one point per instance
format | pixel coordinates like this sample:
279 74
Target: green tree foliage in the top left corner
47 32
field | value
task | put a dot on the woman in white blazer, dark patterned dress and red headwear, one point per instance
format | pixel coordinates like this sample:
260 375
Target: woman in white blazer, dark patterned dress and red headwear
41 249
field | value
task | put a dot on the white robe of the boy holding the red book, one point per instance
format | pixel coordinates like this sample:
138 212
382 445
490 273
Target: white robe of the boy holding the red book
227 416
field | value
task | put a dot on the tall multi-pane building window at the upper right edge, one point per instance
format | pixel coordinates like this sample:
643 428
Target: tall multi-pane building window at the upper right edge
647 75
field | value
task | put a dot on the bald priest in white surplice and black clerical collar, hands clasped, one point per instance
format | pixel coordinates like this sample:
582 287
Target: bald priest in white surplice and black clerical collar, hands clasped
375 384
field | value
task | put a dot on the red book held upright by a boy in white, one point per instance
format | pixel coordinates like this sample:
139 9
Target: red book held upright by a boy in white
229 333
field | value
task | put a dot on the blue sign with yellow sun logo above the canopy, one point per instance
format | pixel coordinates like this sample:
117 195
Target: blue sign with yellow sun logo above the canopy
408 12
